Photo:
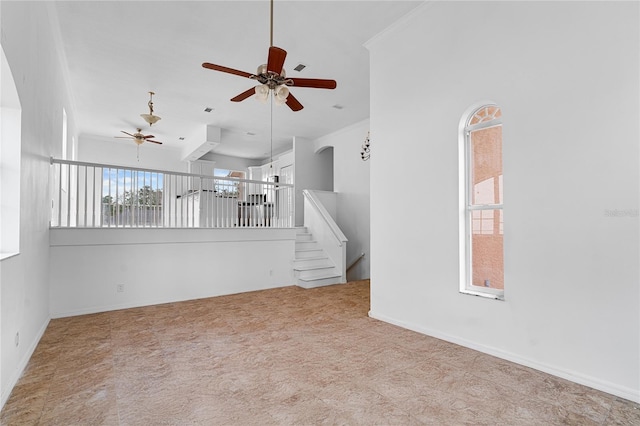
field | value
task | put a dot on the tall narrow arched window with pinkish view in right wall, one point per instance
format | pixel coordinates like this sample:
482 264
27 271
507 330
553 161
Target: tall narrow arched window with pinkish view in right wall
481 199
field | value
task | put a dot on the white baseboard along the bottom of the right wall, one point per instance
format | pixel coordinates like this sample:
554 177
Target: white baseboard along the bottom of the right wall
592 382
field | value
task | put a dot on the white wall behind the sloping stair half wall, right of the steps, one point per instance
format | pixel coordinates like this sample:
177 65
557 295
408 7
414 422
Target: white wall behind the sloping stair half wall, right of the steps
351 182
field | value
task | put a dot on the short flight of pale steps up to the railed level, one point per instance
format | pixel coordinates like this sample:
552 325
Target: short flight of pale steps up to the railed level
311 265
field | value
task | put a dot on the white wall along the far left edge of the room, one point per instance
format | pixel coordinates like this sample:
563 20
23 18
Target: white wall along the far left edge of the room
28 42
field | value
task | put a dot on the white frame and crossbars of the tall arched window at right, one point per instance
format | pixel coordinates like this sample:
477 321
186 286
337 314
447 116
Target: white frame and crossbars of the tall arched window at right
466 205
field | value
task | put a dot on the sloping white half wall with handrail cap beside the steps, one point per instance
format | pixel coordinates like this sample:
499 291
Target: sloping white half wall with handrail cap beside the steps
326 232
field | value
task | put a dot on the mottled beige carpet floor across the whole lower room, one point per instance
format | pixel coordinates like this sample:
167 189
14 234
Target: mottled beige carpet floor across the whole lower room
286 356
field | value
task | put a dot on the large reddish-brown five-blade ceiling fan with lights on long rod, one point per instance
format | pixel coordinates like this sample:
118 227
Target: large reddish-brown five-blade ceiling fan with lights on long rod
272 77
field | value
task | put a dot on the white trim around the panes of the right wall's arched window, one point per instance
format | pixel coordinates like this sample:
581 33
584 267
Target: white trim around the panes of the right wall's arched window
465 207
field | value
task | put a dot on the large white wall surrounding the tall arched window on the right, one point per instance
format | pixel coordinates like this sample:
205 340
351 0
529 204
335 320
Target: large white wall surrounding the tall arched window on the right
566 77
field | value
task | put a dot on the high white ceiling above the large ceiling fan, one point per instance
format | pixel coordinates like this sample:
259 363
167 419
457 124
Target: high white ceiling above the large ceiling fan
118 51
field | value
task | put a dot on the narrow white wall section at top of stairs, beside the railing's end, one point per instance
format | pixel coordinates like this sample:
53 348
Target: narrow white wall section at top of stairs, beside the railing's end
311 171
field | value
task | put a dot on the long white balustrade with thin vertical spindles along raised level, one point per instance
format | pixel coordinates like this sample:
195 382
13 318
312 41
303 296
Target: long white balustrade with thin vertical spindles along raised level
90 195
